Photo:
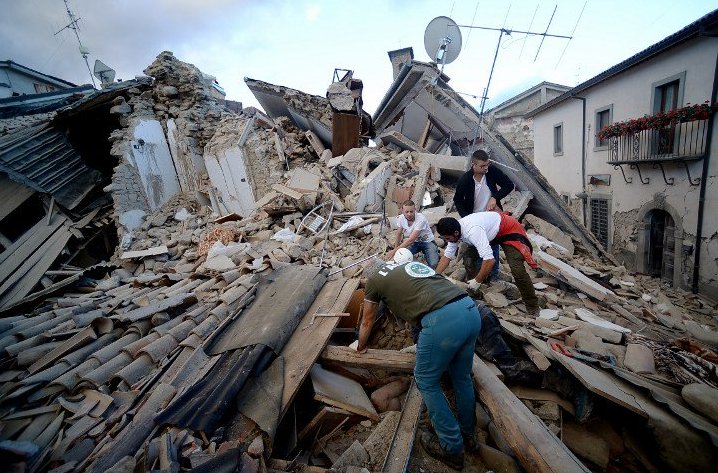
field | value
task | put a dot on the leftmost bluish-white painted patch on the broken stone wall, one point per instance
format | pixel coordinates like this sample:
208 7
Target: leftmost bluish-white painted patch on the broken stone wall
150 155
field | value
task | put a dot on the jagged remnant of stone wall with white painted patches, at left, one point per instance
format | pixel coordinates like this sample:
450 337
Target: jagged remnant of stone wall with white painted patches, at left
164 130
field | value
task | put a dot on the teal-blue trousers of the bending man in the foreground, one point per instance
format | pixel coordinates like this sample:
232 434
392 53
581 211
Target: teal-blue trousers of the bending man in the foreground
446 343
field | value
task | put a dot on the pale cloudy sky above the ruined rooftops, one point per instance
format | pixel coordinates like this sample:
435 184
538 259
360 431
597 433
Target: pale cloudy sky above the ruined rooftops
299 43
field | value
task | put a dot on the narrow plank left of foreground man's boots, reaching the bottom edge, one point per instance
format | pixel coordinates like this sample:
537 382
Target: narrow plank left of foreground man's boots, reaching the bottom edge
397 458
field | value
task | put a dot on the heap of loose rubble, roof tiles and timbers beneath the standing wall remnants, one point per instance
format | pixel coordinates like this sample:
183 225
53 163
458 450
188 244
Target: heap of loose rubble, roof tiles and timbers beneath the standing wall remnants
623 368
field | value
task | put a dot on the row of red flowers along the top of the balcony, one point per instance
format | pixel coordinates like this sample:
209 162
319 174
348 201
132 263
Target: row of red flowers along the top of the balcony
688 113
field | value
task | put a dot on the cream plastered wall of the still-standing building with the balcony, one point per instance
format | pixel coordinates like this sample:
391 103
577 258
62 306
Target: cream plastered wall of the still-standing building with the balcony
630 93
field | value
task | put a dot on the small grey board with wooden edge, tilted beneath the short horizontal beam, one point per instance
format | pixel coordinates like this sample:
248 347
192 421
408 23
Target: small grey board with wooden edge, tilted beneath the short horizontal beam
339 391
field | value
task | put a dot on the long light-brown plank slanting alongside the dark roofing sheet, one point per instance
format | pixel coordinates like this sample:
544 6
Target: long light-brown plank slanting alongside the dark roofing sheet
307 342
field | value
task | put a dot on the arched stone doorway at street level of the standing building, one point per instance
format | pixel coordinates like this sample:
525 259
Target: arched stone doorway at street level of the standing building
660 239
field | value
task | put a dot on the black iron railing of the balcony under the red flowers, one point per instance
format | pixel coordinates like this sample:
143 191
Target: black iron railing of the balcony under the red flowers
679 142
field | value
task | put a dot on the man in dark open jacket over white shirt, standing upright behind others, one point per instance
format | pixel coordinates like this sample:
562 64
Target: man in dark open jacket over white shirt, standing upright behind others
481 189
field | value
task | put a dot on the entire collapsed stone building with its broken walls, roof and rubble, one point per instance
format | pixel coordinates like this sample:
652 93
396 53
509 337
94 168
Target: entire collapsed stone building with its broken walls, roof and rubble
213 335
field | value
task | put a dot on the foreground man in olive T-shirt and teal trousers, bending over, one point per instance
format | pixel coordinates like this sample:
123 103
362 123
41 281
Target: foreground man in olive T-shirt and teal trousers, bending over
450 324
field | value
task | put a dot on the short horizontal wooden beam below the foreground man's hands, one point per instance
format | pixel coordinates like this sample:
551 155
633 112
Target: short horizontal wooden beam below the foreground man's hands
373 359
